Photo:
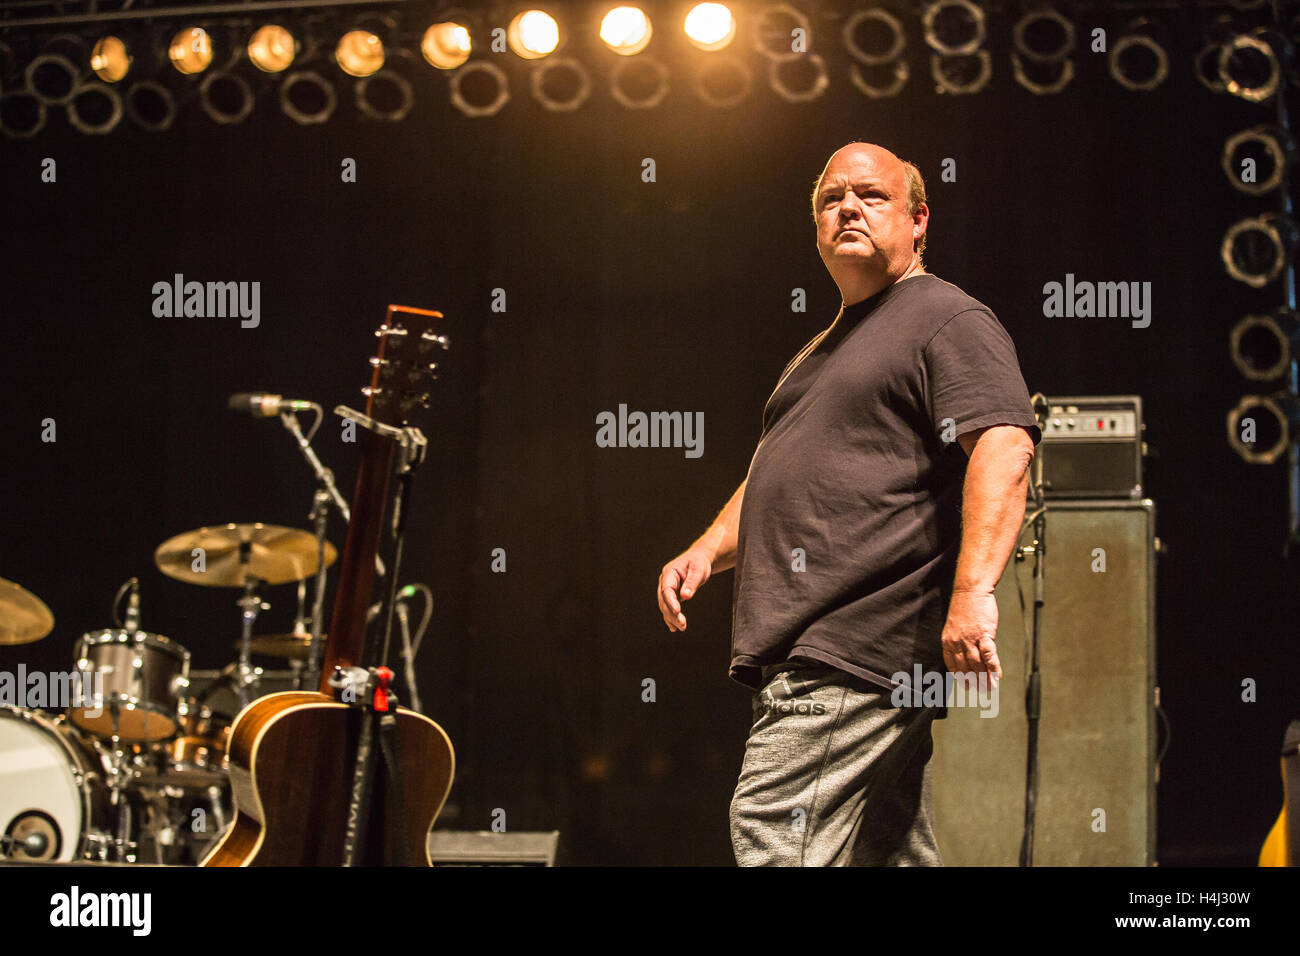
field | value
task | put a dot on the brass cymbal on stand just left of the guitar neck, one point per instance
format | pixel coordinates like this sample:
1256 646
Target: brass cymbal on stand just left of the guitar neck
237 552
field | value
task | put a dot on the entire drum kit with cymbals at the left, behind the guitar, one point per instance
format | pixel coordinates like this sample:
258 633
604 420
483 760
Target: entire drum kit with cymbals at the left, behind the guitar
136 771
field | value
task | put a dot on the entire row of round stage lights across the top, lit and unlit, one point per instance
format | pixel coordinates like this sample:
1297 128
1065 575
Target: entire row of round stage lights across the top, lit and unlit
876 40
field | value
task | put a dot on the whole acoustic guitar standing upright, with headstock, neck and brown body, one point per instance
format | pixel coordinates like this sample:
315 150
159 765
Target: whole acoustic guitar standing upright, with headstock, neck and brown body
310 780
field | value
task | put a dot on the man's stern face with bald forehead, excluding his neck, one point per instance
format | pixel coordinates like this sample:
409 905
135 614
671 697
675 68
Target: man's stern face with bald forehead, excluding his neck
863 220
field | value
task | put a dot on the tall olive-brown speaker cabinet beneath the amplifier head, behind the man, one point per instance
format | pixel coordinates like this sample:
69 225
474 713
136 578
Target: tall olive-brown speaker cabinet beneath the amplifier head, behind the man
1097 803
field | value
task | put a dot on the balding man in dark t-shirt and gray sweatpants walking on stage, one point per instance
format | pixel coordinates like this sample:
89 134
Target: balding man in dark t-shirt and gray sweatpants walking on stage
879 512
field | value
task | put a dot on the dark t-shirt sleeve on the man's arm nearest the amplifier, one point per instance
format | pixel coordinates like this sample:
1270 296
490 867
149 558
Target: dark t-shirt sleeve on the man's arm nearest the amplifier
974 377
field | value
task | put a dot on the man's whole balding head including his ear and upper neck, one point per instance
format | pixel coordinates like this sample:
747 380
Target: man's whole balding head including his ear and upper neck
872 219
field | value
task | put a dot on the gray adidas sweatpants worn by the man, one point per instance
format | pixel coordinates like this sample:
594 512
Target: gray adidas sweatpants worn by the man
833 776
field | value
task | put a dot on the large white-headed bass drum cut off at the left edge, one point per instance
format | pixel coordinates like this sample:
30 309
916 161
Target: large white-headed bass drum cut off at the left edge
54 802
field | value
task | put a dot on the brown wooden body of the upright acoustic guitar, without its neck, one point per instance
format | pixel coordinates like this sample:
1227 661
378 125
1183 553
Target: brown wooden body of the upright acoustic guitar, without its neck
292 760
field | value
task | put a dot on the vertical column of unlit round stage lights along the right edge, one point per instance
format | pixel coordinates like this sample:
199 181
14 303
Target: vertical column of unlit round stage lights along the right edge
1259 250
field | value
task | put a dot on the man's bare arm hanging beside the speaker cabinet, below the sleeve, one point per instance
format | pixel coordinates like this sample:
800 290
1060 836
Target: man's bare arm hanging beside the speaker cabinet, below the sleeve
993 511
